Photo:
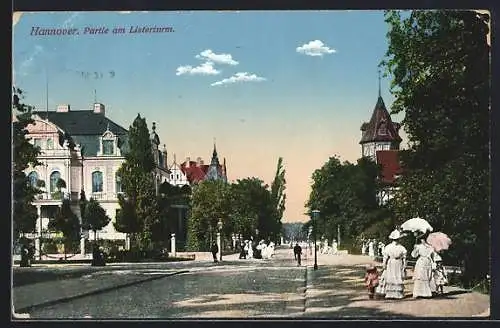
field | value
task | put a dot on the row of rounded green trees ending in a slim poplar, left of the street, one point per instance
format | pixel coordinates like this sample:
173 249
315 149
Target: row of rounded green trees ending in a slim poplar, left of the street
248 207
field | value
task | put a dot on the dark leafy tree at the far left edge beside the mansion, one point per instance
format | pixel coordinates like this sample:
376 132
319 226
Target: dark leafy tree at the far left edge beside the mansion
24 156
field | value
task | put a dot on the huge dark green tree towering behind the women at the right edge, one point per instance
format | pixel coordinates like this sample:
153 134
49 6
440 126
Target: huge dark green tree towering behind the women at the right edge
439 64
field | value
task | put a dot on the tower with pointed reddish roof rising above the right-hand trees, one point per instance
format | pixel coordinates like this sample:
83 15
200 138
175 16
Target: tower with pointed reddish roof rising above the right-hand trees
380 141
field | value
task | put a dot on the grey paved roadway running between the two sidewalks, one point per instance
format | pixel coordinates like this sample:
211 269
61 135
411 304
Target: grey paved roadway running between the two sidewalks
234 288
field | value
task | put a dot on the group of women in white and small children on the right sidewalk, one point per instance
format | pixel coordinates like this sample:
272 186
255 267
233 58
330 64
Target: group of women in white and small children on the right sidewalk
429 275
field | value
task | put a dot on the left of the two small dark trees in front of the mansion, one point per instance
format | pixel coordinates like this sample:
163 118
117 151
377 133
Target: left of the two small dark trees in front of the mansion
67 223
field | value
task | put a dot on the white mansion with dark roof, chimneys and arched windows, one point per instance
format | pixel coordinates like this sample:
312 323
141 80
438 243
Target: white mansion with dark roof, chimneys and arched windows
81 150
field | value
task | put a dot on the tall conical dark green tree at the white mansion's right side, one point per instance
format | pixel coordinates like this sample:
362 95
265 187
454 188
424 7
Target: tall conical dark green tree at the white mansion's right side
139 214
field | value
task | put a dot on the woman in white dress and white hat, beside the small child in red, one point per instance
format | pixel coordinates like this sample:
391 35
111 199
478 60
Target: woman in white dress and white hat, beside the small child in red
394 267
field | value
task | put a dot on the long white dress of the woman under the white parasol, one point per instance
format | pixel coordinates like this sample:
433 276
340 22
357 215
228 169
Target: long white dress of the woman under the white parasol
422 274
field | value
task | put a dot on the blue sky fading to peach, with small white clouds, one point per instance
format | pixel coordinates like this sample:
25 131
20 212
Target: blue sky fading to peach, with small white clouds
262 84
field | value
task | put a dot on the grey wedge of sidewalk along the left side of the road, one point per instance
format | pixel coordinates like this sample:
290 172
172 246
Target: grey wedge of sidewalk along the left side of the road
55 291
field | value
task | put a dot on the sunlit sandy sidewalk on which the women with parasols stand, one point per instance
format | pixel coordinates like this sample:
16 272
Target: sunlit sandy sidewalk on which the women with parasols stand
337 289
